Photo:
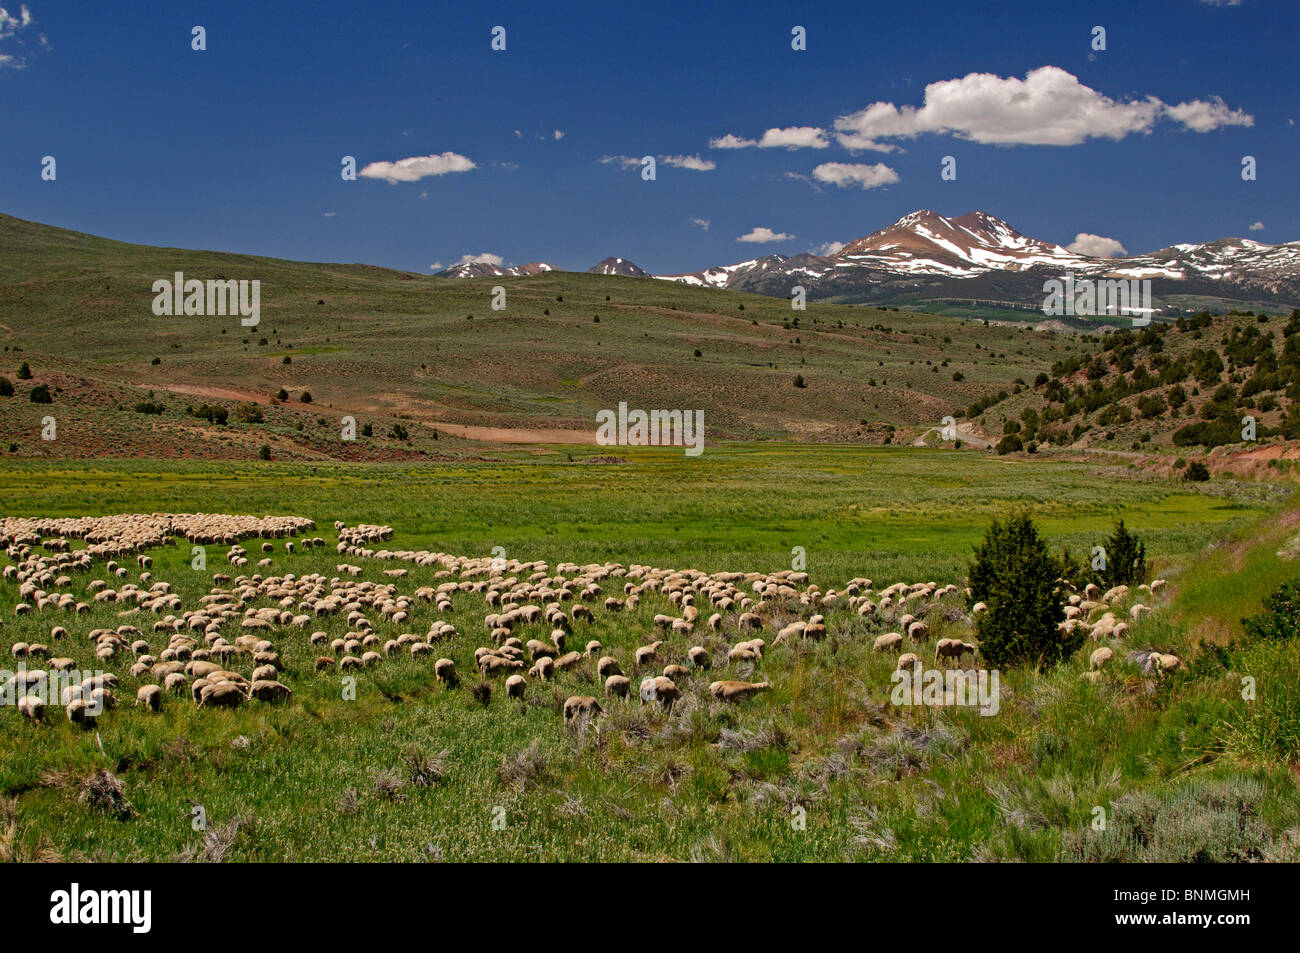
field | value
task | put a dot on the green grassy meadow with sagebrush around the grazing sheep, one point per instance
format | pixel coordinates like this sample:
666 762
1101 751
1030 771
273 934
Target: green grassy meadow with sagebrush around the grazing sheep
820 768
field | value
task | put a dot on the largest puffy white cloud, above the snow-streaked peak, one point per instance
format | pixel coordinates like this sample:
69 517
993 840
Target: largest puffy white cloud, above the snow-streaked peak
1048 107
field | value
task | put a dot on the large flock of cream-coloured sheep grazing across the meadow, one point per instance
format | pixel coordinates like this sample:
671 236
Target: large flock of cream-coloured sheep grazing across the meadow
531 622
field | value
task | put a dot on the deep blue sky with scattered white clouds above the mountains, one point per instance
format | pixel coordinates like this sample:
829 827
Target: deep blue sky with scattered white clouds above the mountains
239 148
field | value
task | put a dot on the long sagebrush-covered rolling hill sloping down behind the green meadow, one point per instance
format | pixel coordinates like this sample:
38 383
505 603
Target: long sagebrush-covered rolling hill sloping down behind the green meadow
426 366
